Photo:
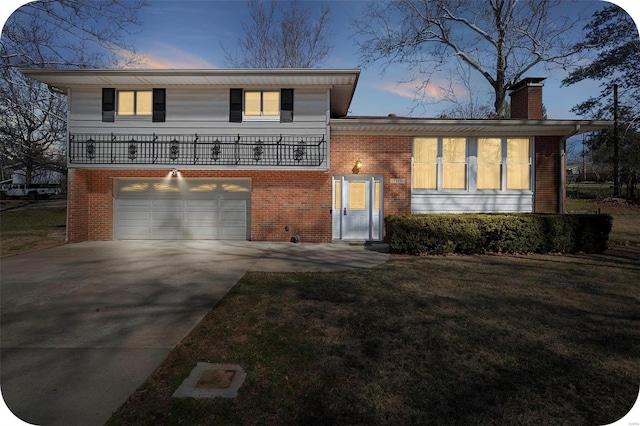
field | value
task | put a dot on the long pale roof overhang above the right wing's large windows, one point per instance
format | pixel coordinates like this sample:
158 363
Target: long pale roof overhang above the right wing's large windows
449 127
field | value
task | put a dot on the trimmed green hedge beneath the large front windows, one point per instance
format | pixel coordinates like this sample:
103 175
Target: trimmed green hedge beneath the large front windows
499 233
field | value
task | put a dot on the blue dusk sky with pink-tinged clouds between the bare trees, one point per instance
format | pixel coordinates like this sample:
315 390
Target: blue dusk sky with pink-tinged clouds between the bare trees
189 34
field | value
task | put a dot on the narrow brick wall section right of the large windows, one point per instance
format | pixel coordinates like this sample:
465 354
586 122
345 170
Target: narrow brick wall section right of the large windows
547 173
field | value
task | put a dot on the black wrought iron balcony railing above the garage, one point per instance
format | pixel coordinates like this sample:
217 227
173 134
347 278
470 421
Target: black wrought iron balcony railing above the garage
204 150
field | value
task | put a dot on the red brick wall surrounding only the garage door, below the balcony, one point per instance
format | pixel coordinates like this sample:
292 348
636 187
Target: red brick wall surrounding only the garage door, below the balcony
296 198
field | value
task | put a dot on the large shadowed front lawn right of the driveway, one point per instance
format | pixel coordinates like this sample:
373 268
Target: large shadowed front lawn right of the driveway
541 339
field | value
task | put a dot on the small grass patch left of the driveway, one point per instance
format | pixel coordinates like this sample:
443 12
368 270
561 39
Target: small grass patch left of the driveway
31 229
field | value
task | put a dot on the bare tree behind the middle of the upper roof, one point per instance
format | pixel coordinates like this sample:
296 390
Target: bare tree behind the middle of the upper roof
282 38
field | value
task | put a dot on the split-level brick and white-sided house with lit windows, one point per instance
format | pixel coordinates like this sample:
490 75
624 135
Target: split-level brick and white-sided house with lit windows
264 154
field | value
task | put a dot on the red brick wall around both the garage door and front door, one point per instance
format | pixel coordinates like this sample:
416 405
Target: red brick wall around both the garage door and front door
300 199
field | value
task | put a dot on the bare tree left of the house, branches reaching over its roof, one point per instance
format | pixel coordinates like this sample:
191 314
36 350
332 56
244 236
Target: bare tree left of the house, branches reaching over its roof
54 34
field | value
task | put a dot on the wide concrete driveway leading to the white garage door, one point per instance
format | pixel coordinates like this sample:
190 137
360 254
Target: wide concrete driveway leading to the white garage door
83 325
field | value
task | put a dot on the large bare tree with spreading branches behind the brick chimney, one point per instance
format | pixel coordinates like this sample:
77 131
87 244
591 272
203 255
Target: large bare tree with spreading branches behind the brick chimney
500 40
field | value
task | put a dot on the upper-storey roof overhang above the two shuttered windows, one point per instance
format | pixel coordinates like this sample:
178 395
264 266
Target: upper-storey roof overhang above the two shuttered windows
342 83
